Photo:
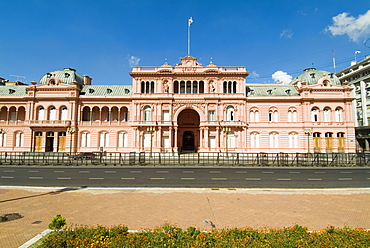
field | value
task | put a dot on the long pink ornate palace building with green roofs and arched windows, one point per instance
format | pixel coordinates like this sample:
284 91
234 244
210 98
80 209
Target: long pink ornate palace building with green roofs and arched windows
182 108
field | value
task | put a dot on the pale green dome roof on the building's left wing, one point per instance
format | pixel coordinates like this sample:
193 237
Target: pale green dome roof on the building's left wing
67 76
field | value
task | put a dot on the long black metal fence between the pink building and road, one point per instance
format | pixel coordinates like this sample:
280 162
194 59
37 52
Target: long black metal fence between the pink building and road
184 159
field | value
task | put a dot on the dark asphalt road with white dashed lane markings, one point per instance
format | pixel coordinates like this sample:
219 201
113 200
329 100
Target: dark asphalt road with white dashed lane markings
196 177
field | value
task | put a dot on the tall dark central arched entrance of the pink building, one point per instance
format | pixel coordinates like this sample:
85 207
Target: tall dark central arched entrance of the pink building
188 131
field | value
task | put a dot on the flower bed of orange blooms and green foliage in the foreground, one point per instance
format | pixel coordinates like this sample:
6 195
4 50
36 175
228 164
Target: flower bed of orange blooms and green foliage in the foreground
171 236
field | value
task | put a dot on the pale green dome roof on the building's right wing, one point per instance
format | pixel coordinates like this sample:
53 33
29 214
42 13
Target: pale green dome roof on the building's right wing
311 76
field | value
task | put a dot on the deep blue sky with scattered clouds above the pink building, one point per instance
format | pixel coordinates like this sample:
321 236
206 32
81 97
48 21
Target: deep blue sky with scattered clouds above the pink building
274 39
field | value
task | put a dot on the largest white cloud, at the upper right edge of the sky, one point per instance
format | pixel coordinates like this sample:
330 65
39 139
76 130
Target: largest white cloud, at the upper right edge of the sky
355 28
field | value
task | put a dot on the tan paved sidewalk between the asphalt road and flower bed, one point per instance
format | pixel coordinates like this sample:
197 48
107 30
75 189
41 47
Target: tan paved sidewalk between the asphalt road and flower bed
147 208
